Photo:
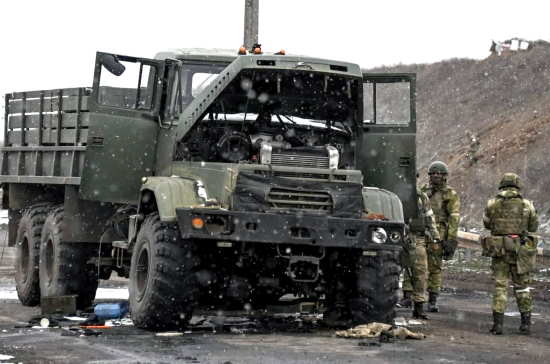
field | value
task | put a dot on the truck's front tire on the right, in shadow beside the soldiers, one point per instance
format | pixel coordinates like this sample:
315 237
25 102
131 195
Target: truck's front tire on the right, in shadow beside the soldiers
377 286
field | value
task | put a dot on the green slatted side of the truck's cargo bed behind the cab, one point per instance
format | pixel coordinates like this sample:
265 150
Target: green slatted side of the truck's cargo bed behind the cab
45 134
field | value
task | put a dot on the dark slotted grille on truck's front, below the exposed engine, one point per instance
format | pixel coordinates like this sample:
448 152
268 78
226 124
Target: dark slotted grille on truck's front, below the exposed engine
283 198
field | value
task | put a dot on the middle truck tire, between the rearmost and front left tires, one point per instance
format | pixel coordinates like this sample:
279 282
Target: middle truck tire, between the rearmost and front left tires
63 268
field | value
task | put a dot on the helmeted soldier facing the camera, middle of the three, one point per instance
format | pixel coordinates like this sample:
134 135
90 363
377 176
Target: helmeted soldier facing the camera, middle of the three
446 207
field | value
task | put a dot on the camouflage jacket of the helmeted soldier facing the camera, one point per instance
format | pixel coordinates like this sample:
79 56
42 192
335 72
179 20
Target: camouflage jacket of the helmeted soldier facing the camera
446 207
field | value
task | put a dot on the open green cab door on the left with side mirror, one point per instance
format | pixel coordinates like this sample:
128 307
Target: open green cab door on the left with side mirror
125 111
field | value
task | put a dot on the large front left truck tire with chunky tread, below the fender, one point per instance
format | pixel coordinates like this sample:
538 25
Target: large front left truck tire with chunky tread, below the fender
163 285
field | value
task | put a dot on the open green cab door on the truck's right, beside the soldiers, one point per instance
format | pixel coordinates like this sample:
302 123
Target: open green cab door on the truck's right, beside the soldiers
387 147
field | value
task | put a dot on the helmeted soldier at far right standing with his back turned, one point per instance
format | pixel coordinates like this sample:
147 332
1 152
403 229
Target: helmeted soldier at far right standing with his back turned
513 222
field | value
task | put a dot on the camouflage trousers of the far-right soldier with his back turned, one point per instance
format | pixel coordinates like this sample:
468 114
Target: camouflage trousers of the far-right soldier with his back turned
505 268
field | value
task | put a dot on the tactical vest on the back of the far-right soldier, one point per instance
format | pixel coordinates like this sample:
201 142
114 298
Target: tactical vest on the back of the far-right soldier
509 215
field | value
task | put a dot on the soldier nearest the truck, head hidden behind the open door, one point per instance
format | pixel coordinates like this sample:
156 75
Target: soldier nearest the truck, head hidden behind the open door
422 233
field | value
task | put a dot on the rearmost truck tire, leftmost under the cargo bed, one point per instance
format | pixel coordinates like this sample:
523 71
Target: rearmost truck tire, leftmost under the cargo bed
27 254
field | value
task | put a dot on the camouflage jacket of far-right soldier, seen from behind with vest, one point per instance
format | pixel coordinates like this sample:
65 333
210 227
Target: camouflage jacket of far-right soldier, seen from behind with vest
510 213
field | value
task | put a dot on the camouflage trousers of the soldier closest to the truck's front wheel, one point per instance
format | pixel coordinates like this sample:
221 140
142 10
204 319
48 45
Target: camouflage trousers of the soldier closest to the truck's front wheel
418 282
